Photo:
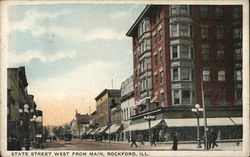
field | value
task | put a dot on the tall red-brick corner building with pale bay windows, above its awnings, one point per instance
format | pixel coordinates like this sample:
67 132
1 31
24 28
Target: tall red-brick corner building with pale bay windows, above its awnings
185 55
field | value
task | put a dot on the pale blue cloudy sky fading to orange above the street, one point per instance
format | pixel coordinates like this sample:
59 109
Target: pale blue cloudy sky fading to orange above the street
71 52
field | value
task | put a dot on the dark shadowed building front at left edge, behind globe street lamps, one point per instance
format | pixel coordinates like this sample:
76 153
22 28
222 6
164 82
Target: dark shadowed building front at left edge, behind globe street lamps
24 121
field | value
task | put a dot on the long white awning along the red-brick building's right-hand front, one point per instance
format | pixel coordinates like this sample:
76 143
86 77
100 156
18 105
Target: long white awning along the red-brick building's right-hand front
190 122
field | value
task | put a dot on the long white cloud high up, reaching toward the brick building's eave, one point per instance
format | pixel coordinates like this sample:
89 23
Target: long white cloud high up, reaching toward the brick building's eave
31 23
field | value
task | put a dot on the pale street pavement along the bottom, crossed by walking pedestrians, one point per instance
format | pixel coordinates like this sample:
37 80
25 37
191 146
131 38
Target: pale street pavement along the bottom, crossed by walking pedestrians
92 145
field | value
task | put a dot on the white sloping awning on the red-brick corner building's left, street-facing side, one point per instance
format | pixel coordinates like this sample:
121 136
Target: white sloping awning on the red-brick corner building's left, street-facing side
144 126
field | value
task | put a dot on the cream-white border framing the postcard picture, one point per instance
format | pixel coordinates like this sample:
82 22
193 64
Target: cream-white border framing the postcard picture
4 62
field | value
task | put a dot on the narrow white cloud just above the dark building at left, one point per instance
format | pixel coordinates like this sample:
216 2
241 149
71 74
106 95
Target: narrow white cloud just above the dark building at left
29 55
